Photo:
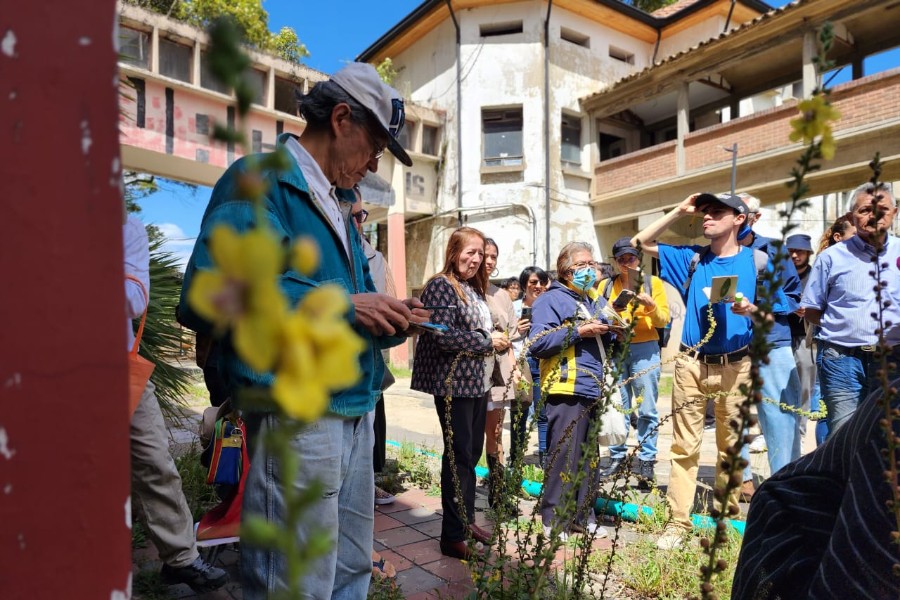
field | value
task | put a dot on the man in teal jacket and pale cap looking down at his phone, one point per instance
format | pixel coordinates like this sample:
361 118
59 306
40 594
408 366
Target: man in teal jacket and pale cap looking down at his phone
350 120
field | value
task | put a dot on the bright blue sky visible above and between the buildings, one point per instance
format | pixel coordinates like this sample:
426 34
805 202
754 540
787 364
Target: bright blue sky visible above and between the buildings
335 32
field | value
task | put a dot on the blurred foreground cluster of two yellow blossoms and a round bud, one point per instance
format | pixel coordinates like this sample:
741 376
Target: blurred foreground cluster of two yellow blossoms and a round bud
312 349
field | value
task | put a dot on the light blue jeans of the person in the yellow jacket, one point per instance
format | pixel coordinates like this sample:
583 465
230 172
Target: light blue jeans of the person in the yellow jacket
642 356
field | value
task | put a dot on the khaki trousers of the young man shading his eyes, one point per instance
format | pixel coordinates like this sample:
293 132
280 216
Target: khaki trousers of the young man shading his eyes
694 381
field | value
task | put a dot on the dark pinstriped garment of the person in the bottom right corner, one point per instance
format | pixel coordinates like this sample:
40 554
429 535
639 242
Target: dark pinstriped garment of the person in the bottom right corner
819 528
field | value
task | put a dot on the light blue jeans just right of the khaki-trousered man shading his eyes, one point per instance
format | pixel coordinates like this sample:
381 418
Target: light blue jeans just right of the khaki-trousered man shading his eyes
781 428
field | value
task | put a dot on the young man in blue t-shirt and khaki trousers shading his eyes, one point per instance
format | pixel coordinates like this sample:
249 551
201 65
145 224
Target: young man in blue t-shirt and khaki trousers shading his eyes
715 367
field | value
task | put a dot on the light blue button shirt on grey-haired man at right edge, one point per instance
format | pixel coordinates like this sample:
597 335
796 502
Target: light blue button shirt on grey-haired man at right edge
841 287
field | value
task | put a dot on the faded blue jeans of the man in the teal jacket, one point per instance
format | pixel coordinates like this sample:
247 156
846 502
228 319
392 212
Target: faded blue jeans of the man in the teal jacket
337 454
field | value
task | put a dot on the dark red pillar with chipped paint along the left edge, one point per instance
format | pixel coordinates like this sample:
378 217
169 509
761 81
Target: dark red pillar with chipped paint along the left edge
64 470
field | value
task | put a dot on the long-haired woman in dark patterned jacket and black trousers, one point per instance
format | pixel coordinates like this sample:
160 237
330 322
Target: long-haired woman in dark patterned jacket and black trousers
458 293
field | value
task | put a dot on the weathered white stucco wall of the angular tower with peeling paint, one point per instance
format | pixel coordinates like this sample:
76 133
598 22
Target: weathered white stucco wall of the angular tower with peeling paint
505 72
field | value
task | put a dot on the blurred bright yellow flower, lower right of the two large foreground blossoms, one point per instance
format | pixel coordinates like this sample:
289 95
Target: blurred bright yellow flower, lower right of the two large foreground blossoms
320 354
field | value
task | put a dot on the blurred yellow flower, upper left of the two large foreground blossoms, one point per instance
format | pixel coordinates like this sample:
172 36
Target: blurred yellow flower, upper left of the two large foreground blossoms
242 293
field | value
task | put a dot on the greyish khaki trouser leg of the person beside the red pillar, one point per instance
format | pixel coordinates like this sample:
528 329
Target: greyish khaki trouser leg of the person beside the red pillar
157 484
